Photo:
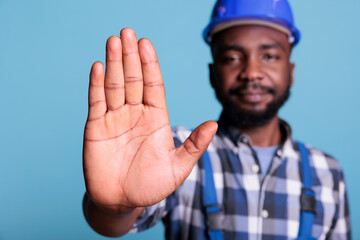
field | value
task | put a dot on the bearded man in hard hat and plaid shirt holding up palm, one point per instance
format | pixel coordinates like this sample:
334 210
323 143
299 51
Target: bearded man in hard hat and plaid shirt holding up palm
136 177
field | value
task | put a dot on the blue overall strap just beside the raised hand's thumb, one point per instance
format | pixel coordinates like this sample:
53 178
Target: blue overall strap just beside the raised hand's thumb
214 219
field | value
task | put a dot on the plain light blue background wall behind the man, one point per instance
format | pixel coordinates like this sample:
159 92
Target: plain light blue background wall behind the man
46 51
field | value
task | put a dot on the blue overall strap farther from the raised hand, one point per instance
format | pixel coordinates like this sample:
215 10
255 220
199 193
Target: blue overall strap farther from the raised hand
307 198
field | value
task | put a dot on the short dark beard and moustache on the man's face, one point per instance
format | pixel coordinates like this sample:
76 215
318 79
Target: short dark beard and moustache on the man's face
247 119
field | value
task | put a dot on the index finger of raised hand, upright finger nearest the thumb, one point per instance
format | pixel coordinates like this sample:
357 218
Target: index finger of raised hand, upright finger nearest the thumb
154 91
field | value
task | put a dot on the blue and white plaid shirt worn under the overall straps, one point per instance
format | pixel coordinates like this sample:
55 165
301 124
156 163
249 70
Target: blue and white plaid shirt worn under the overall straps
254 207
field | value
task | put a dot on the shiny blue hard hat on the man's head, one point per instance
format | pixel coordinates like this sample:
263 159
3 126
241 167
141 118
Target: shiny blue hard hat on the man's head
276 14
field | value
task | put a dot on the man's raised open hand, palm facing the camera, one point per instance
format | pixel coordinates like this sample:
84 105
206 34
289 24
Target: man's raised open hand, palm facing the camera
129 155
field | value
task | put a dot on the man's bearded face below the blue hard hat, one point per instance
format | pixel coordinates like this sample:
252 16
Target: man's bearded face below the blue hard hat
251 73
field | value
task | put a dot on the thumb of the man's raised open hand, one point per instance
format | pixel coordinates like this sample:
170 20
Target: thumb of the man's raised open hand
191 150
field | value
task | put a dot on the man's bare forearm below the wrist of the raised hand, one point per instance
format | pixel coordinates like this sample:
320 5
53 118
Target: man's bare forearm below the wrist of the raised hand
111 222
